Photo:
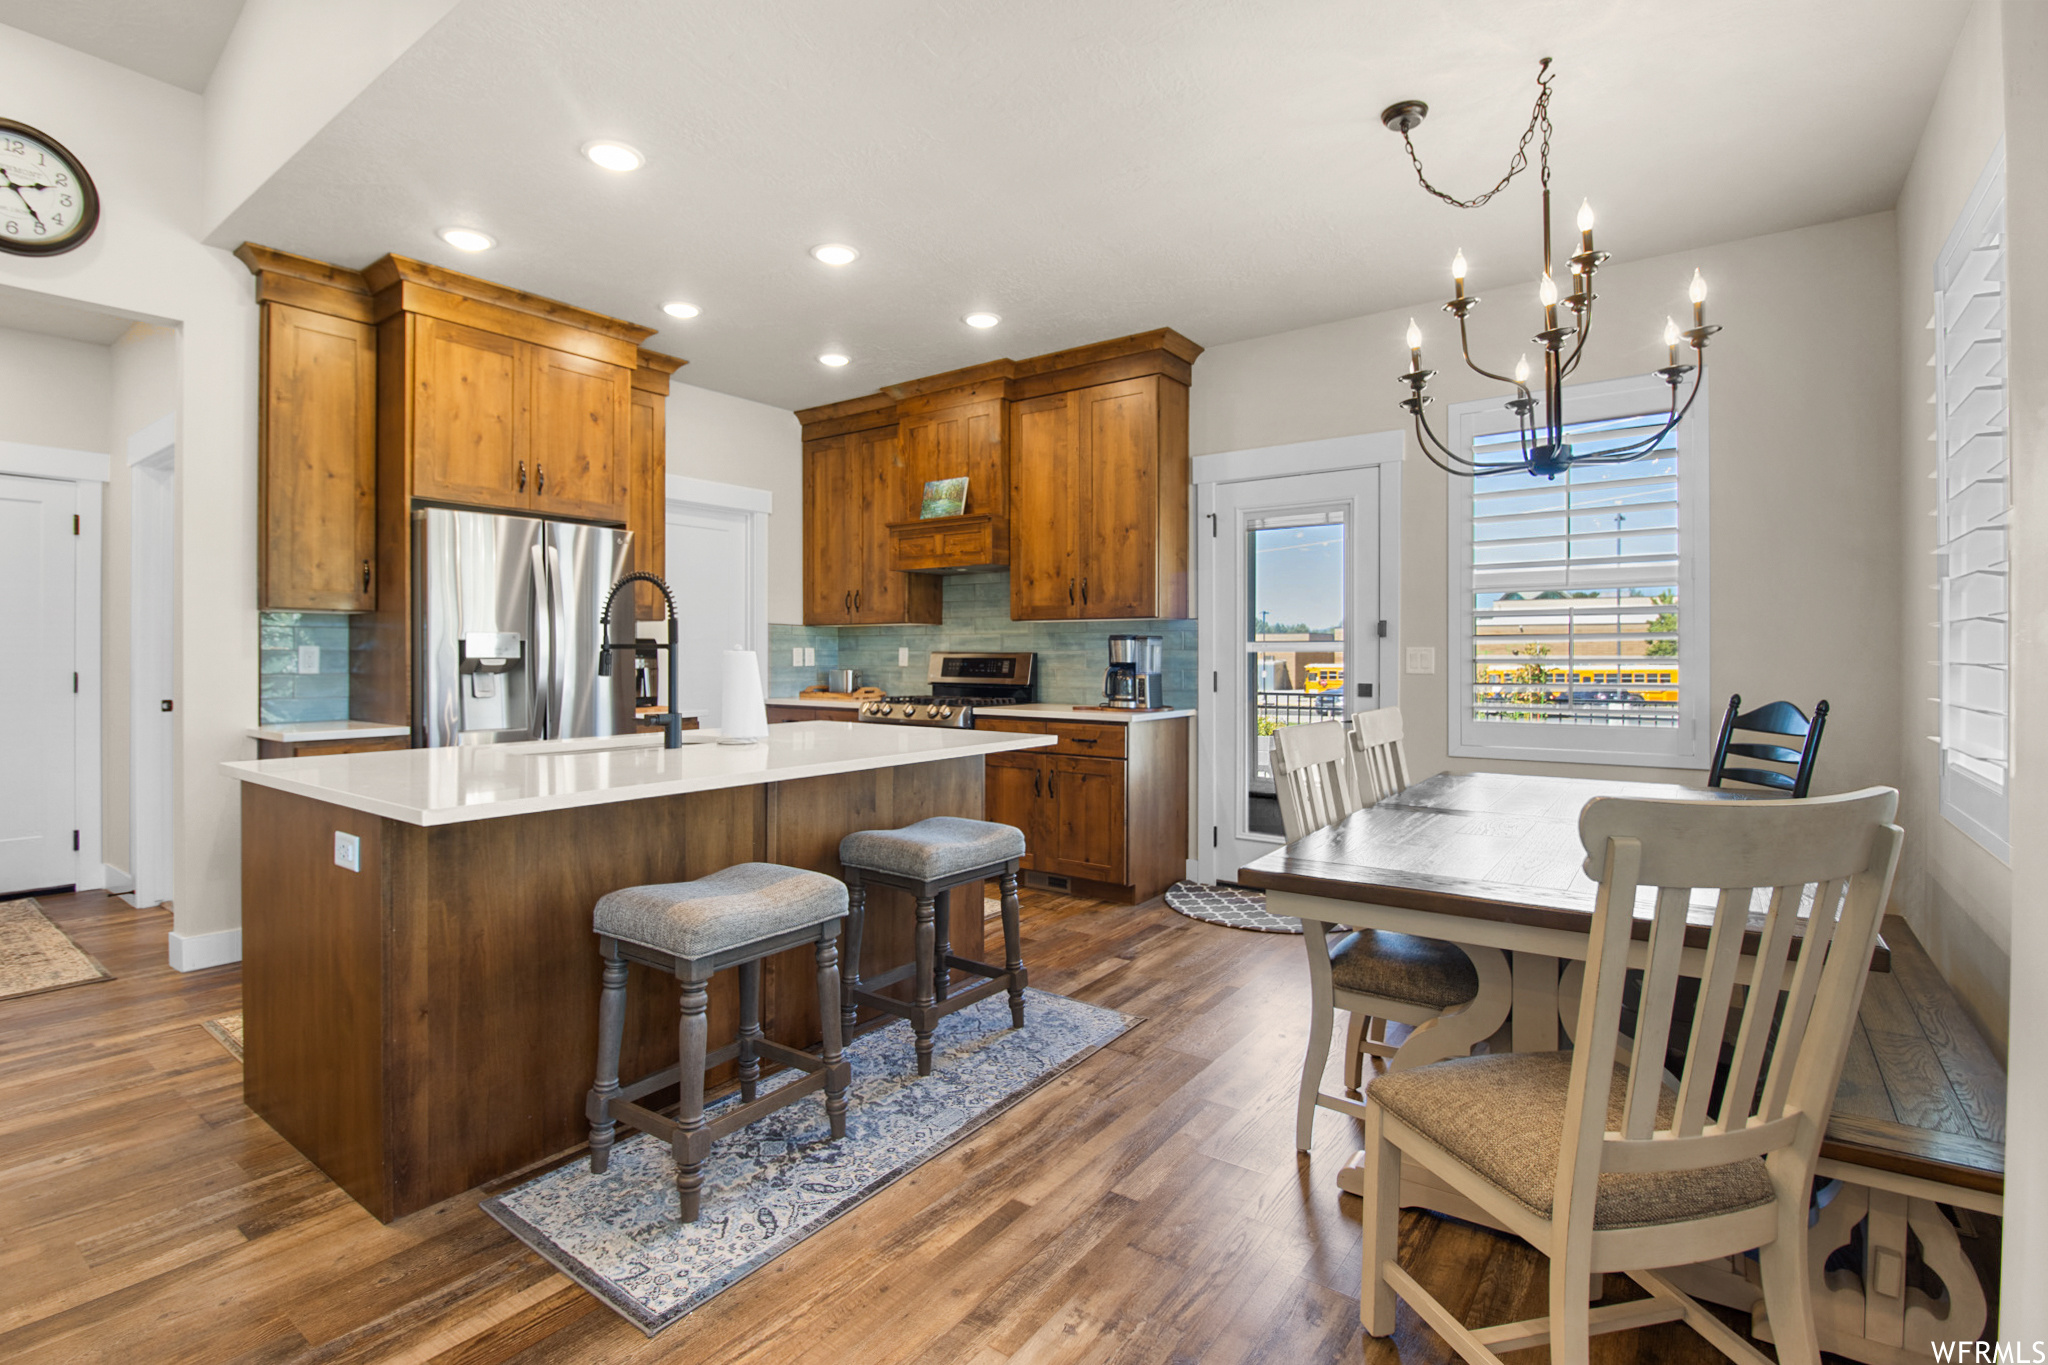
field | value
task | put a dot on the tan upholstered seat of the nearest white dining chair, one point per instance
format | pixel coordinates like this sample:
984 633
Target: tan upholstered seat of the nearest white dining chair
1504 1116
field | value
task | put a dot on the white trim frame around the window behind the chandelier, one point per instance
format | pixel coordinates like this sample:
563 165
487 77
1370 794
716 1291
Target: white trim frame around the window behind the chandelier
1687 746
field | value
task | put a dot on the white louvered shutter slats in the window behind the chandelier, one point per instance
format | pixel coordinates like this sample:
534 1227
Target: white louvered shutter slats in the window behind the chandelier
1576 584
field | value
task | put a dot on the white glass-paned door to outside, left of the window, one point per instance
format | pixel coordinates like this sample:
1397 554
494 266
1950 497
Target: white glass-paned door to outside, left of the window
1293 631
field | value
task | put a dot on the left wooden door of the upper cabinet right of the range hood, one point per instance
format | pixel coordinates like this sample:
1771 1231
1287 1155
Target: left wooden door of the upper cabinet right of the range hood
1046 509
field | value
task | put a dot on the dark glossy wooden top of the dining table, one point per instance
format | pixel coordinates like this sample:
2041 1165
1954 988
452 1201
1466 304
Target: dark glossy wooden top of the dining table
1480 846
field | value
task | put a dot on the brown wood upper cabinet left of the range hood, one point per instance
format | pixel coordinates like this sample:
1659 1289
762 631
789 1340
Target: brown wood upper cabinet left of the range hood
851 494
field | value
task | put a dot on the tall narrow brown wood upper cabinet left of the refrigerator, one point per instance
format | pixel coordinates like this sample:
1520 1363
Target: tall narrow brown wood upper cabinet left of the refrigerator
318 464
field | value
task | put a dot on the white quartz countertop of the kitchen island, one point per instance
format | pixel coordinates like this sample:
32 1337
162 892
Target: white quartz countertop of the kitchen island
480 783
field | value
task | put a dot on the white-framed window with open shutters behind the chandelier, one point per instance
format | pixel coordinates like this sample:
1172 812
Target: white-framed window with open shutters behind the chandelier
1578 605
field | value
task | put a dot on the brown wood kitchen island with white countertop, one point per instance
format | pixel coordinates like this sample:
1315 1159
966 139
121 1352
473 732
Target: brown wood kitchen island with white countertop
419 973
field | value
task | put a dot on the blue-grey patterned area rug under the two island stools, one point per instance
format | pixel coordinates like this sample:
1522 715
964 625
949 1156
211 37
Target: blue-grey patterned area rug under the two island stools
781 1180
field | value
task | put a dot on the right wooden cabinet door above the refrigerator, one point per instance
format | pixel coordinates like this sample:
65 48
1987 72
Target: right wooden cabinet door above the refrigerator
579 439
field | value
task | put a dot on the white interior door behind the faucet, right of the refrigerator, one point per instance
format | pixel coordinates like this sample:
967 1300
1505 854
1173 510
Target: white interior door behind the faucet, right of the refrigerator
710 568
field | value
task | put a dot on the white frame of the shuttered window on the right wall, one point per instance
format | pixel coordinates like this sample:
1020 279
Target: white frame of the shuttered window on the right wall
1994 834
